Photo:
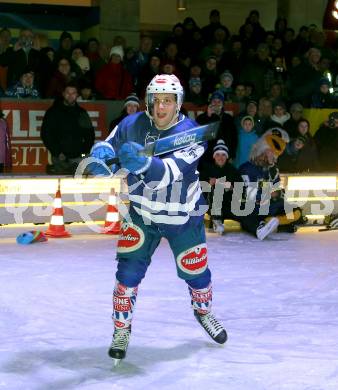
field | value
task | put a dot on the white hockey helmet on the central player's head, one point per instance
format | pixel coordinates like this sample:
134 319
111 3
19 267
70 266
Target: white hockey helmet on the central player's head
164 83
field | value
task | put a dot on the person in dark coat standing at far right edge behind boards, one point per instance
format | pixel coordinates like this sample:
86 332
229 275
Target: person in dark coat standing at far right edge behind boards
326 138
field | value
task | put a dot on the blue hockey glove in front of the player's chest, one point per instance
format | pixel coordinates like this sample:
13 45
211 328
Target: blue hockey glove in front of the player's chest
131 158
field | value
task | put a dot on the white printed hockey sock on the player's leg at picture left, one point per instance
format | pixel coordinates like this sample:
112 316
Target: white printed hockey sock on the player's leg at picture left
123 300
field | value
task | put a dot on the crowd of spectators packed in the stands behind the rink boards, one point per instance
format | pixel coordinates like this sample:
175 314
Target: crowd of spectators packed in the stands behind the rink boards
271 75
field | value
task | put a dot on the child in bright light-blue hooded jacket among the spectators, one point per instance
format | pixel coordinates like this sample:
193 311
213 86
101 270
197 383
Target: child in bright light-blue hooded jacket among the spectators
246 138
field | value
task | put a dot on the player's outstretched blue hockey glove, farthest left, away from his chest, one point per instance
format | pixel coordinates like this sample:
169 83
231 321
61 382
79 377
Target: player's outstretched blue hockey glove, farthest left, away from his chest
102 151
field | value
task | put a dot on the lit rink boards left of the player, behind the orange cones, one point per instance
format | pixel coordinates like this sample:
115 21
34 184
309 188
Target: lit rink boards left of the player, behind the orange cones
30 199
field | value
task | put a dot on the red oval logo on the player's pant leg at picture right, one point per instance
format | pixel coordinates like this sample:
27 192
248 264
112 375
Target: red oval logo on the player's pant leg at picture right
194 260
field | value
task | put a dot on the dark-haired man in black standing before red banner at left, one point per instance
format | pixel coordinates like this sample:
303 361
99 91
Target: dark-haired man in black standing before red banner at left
67 132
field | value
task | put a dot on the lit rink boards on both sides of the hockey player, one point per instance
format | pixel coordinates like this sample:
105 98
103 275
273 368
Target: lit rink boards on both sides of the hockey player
30 199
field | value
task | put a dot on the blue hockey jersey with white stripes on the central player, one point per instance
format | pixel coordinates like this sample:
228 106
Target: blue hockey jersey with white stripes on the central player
169 192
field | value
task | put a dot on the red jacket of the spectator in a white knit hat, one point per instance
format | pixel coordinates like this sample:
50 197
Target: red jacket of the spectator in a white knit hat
113 82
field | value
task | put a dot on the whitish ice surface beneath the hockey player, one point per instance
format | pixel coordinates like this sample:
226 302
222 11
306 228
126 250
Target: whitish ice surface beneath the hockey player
277 298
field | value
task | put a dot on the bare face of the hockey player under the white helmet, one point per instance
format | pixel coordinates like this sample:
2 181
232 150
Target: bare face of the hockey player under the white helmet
164 109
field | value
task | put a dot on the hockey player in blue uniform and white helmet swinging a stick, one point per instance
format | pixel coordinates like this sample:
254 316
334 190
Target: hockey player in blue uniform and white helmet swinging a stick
165 201
